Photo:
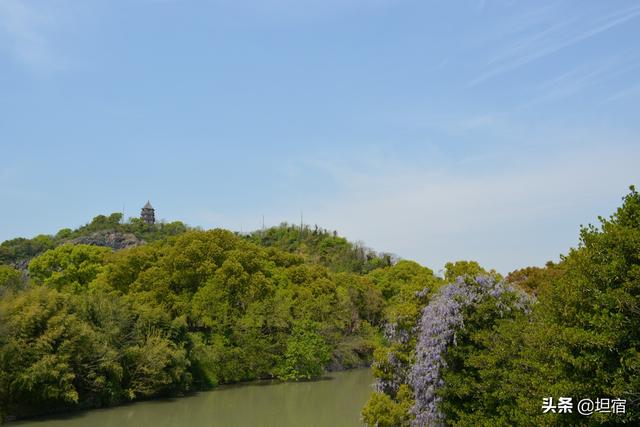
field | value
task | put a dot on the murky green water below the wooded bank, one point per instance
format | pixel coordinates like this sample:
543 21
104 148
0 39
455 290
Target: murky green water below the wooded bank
334 401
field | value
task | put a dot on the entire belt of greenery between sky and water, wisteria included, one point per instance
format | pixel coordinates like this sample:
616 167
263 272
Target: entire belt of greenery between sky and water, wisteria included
87 325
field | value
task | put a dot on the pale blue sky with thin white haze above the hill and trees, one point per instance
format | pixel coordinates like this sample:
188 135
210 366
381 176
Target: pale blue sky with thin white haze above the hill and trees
437 130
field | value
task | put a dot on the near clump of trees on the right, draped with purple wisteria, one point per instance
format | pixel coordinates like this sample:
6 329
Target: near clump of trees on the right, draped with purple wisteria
488 351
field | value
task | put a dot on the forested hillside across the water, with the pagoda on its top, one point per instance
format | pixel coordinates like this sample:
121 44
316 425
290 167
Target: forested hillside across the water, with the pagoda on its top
89 326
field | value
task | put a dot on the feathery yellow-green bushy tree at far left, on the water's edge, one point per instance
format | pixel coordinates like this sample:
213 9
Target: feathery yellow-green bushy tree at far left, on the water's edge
50 357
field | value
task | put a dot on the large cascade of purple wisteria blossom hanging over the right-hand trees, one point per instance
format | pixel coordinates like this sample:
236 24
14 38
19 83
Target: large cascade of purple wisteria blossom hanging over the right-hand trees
441 318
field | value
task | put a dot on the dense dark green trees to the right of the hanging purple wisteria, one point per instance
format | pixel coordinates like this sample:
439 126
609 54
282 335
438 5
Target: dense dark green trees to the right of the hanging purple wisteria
581 339
